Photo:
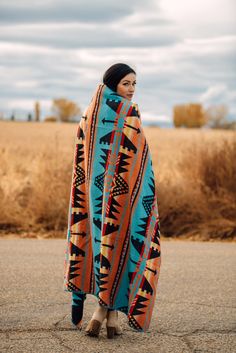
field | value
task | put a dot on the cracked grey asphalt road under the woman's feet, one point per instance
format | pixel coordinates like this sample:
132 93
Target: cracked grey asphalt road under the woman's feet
195 309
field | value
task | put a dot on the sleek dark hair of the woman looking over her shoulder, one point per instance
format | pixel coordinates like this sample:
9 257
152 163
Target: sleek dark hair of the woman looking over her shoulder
115 73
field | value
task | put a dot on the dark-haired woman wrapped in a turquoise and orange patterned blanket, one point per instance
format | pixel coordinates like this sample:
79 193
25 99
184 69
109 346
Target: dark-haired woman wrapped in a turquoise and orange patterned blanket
113 241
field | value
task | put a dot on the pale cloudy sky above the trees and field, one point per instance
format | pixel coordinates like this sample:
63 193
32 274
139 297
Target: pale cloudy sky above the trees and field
183 51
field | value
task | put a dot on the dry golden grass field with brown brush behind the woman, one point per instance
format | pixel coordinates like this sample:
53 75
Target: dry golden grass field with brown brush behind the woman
195 174
